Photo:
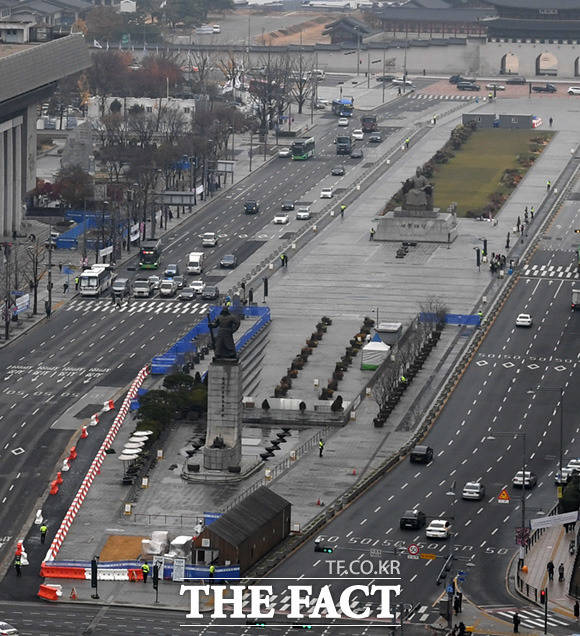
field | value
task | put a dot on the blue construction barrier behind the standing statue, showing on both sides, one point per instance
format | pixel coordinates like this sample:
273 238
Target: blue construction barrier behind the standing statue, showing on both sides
175 356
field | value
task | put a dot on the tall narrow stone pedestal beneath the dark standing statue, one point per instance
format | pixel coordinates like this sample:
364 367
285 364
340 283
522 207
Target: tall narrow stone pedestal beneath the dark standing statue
224 415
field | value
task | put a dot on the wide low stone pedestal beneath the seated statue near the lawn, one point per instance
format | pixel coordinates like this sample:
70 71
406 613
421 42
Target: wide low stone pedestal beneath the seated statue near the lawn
422 226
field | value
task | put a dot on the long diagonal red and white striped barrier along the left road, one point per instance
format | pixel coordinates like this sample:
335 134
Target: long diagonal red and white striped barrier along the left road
95 466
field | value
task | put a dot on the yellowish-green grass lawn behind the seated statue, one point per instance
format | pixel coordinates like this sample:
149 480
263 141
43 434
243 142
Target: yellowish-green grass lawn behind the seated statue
475 172
